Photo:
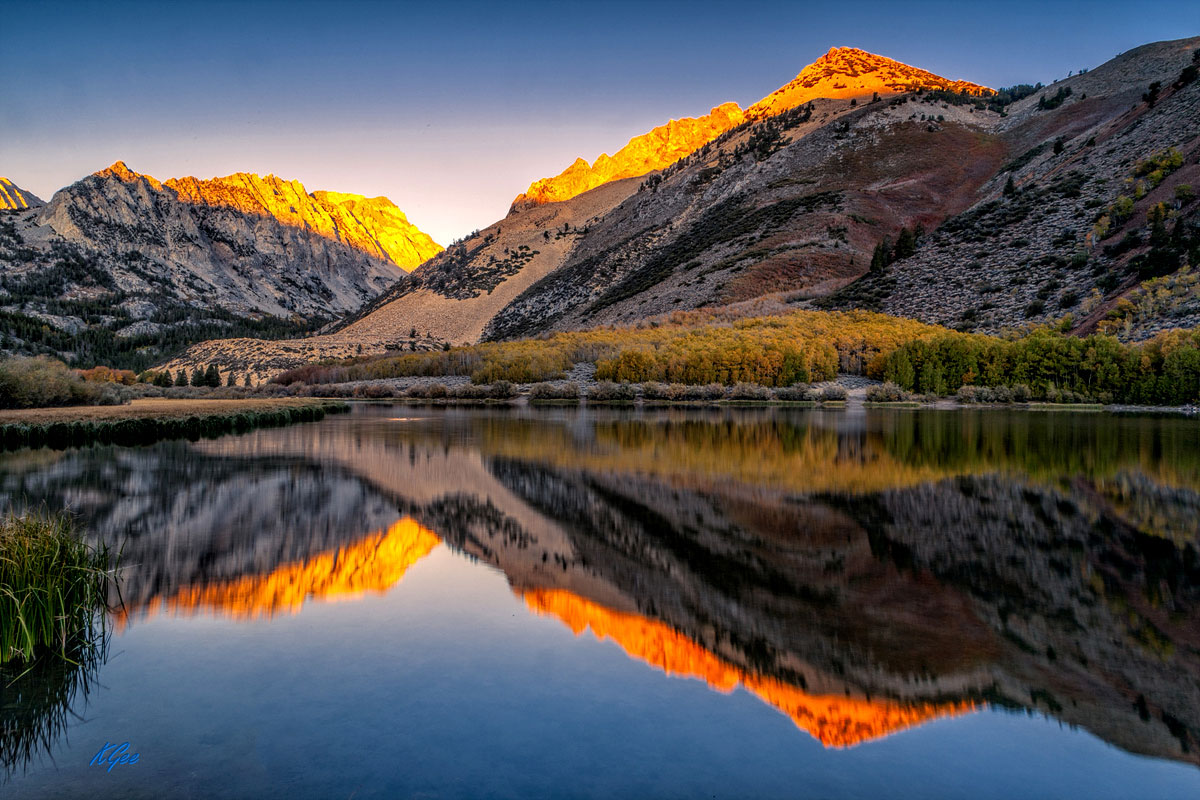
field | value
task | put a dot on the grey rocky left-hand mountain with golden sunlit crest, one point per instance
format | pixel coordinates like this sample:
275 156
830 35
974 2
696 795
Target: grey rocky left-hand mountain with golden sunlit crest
148 267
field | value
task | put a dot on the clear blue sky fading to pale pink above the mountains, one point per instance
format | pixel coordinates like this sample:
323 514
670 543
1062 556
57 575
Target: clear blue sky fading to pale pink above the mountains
453 109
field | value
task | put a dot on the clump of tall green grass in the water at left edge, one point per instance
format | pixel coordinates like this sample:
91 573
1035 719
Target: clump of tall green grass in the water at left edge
53 587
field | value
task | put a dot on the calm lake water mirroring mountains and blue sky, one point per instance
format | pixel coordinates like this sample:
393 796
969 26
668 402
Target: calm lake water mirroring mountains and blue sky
559 603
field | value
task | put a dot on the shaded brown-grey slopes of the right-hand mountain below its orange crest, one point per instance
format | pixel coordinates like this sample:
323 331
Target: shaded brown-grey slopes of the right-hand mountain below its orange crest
791 210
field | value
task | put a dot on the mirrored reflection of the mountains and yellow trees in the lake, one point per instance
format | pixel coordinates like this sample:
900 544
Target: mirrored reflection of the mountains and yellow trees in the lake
863 574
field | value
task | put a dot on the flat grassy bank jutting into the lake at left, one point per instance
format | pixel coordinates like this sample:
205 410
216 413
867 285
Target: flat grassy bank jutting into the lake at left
149 420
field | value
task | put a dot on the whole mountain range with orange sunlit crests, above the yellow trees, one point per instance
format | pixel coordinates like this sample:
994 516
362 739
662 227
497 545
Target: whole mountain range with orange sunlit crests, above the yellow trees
862 183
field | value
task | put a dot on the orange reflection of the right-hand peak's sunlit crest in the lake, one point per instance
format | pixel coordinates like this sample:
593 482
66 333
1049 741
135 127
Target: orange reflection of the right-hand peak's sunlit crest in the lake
835 720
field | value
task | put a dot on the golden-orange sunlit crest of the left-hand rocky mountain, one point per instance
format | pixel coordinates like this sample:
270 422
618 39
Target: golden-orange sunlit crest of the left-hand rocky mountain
374 226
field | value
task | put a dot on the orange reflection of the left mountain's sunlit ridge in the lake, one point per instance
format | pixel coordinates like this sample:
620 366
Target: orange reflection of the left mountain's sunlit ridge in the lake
376 564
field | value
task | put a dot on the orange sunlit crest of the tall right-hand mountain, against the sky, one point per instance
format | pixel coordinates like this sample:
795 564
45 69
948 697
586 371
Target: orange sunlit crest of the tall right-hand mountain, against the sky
843 73
